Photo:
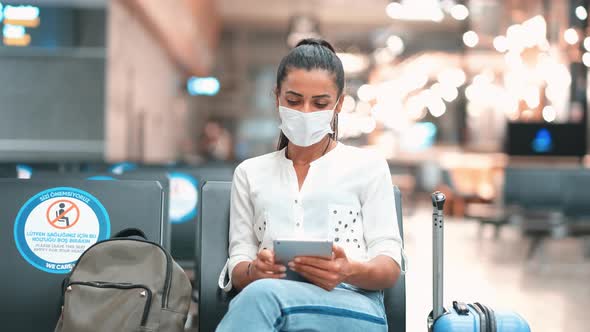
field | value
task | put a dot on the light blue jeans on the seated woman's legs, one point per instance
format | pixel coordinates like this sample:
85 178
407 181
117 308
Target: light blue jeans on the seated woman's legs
284 305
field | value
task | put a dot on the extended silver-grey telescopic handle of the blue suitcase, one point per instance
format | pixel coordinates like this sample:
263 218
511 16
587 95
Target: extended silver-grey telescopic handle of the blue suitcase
438 202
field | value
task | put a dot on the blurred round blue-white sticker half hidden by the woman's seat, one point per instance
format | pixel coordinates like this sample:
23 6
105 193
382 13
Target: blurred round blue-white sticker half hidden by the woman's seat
184 197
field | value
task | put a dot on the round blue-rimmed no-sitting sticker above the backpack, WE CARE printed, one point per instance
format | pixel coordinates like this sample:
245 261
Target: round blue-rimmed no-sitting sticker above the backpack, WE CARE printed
57 225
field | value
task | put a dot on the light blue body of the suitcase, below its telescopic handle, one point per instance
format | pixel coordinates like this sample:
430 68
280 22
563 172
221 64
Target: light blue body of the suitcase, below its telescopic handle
452 321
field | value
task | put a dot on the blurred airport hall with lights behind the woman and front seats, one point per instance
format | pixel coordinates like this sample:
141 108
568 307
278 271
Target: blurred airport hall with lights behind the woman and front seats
483 99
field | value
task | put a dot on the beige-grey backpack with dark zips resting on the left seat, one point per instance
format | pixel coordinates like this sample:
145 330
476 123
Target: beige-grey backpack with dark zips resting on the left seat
125 284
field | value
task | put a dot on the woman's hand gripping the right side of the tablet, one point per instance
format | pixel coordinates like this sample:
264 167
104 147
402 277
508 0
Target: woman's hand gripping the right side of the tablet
325 273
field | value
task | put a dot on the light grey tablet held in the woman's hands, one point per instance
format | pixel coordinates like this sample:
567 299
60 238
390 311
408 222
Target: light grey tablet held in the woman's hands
287 249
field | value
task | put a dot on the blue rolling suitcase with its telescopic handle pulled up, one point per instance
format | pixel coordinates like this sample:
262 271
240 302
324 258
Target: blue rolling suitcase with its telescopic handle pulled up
462 317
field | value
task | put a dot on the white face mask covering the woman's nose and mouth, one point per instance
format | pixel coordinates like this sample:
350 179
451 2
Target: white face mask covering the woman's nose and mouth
305 129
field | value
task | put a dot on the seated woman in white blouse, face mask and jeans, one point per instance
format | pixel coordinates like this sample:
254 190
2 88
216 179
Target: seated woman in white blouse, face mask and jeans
312 187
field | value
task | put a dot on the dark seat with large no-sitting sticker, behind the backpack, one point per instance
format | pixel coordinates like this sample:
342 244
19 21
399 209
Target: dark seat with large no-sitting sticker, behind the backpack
30 288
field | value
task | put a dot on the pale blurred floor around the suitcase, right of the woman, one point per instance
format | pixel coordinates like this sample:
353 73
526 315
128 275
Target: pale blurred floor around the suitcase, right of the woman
552 290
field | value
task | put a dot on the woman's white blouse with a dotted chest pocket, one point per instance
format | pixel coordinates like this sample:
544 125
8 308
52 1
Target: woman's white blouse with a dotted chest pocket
347 196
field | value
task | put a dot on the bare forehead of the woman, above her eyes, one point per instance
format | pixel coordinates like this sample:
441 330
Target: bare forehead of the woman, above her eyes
309 82
